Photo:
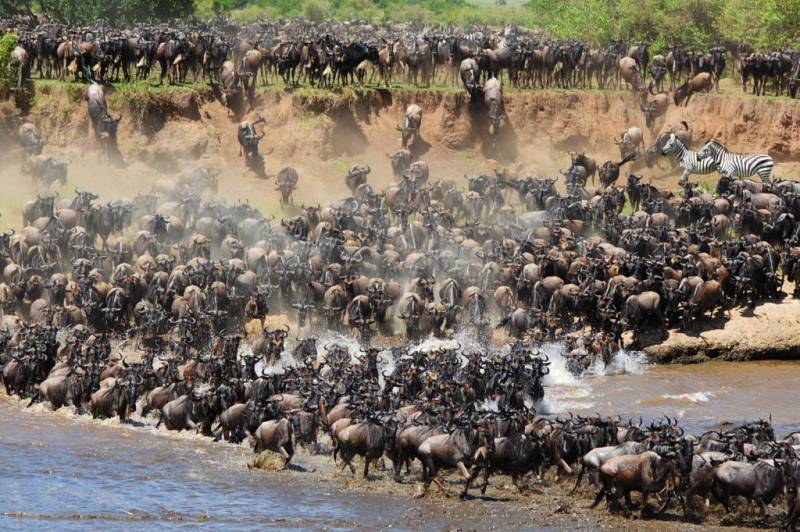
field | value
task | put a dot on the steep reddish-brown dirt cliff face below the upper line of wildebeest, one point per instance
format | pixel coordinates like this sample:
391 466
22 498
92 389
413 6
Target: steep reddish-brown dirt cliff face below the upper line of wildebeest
321 135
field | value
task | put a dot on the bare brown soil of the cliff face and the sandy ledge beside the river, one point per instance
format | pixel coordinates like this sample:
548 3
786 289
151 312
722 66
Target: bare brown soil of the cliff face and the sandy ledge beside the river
322 135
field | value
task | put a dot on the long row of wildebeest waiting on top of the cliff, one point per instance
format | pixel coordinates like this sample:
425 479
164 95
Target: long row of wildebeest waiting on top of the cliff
235 55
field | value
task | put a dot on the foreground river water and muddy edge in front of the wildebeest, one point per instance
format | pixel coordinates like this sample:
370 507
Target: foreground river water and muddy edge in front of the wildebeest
132 475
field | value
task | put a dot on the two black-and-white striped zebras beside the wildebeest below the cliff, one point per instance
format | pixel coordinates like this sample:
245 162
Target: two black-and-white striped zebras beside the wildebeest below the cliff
715 157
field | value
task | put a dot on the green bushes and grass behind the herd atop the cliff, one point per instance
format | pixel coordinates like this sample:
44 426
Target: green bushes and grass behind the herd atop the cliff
697 24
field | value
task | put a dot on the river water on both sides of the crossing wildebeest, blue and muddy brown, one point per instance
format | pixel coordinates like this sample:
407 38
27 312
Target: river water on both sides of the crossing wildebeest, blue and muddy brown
60 470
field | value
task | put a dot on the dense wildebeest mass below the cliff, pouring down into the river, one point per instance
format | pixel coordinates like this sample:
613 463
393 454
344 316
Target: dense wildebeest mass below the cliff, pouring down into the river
142 305
